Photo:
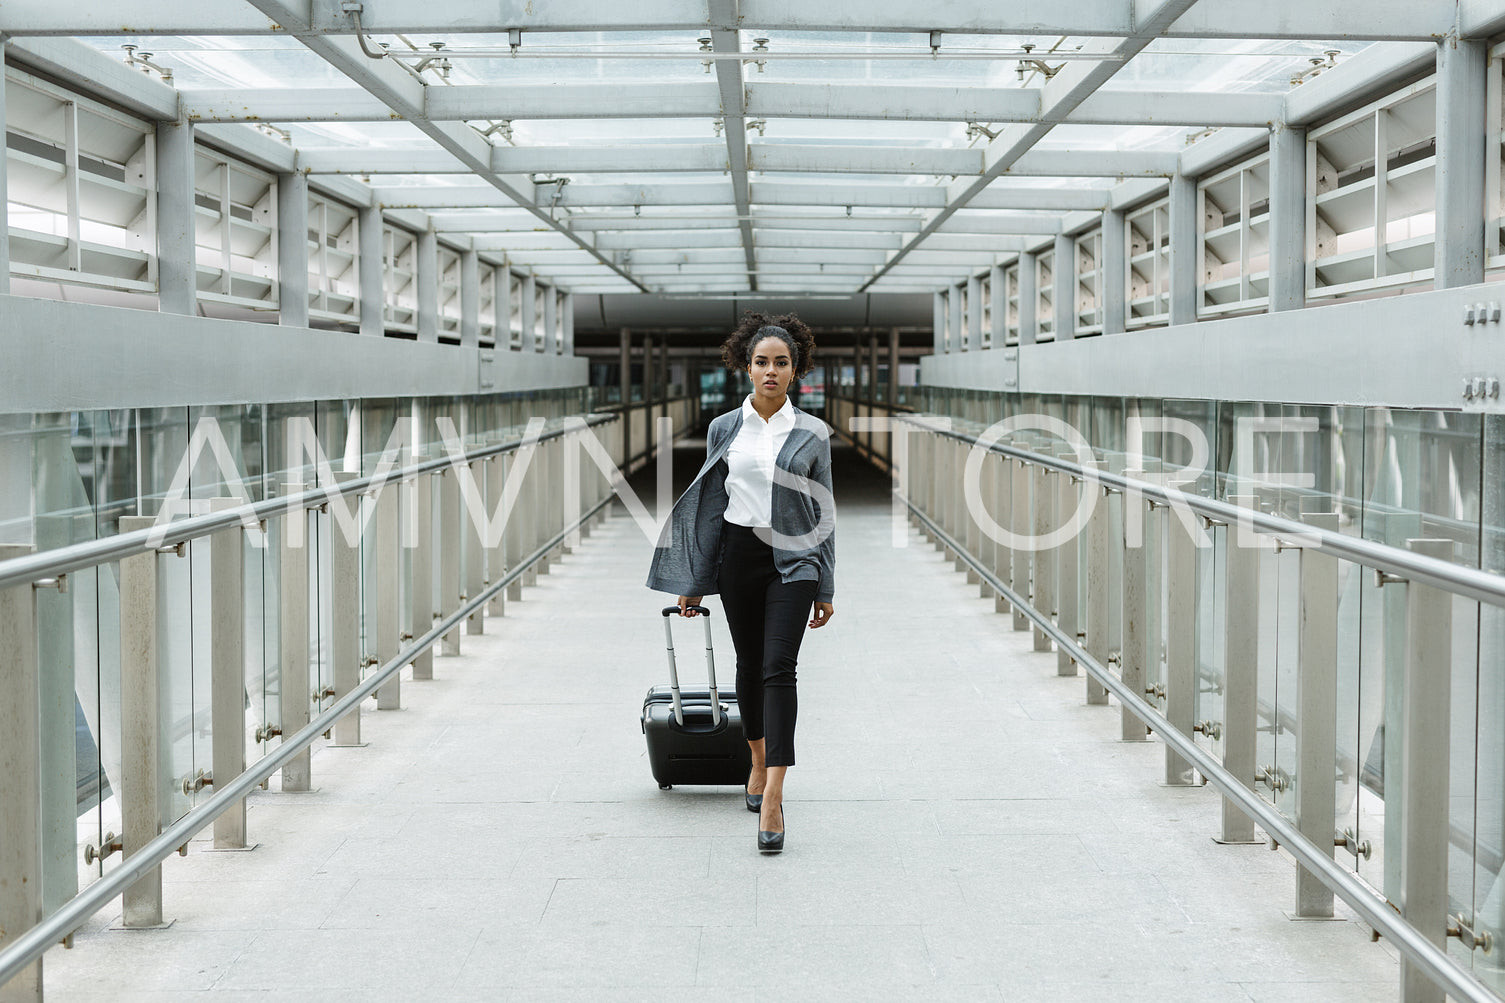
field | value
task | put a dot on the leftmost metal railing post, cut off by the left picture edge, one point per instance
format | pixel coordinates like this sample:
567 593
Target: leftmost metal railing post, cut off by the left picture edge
20 770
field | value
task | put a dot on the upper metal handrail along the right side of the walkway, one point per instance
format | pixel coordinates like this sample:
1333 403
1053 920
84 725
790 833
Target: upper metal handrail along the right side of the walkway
1474 584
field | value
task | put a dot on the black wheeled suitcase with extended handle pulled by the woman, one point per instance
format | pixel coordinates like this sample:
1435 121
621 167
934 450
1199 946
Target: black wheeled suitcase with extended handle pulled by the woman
695 736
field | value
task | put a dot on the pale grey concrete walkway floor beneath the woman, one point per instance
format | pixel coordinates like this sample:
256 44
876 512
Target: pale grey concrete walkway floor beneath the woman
961 828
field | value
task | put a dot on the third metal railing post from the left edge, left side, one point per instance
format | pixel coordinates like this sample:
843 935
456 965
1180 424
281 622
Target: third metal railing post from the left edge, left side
228 669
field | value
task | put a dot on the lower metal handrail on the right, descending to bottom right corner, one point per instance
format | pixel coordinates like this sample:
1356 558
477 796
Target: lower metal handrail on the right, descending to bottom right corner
1372 907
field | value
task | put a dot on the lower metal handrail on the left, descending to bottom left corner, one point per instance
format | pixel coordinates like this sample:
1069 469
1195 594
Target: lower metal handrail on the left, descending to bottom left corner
73 915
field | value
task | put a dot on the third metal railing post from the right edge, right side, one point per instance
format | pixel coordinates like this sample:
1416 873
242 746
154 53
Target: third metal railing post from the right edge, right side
1241 671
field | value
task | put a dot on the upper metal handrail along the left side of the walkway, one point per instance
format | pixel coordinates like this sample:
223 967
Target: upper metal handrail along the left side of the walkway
50 564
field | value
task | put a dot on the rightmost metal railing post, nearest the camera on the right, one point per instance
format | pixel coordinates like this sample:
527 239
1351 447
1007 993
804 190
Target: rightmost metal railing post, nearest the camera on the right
1424 742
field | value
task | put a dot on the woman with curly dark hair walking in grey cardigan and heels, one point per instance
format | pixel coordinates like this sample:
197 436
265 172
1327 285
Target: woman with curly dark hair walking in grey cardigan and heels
758 528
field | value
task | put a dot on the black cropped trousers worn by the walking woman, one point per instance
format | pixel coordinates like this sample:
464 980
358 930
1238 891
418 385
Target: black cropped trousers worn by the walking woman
767 618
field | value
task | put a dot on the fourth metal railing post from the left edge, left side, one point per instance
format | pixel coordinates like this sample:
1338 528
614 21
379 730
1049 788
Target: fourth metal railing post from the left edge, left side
293 564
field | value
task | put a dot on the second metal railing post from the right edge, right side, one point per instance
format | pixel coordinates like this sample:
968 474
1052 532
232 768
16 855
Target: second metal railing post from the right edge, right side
1316 713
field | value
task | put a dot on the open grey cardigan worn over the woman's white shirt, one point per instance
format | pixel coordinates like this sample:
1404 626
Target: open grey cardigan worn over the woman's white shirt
689 555
